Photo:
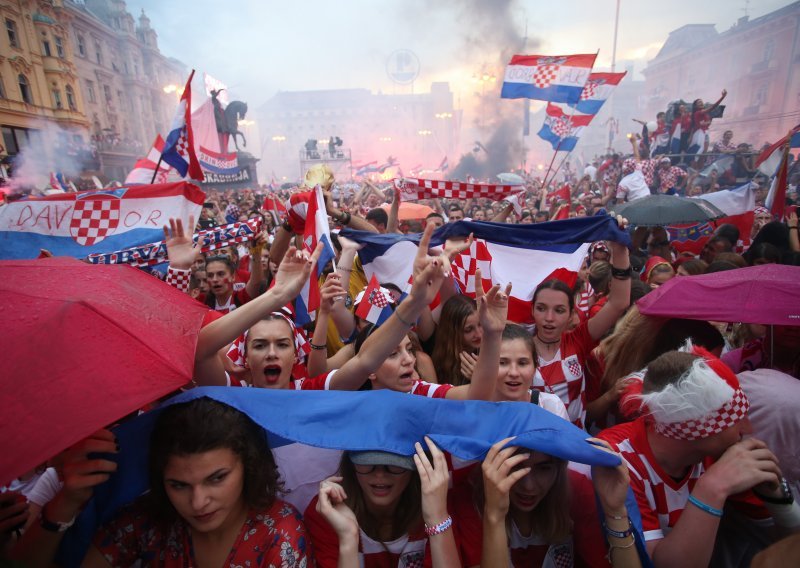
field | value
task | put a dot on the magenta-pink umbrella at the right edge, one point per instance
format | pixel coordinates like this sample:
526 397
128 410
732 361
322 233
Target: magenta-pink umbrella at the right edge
767 294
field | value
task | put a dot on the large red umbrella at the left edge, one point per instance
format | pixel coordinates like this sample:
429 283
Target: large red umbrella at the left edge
84 346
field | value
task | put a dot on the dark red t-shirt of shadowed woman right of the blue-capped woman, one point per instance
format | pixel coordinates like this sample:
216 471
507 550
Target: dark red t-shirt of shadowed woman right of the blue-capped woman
585 547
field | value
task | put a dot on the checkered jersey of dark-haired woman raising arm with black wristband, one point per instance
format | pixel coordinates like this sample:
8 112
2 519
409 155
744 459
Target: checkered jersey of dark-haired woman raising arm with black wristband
564 374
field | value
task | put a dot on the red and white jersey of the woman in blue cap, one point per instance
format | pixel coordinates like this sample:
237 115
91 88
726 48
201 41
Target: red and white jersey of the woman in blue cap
410 550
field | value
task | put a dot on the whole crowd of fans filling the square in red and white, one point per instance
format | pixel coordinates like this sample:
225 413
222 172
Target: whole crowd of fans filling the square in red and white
676 399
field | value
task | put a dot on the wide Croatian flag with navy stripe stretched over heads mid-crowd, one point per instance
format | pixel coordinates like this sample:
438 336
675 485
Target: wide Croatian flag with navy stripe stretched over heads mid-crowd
523 255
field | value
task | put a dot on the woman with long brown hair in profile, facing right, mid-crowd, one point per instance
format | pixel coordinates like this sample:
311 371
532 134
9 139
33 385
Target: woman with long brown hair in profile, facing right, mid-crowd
458 339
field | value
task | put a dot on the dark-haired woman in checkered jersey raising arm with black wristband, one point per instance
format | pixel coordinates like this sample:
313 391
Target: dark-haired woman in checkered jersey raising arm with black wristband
561 353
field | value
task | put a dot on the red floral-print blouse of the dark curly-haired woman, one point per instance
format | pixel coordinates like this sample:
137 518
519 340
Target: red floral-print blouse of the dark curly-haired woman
271 537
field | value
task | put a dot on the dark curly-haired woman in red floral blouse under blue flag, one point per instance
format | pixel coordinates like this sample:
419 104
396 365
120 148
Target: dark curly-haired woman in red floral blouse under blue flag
213 498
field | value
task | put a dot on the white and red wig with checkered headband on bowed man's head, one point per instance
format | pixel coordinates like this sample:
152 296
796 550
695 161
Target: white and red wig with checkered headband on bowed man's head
705 401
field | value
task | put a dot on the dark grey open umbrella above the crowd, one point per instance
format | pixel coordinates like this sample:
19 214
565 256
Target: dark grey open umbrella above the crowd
660 210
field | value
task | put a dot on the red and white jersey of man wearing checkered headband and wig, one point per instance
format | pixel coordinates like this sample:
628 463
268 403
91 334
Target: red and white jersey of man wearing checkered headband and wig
661 498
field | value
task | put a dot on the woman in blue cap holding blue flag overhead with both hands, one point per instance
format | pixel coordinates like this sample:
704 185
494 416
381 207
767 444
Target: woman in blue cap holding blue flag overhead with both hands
384 509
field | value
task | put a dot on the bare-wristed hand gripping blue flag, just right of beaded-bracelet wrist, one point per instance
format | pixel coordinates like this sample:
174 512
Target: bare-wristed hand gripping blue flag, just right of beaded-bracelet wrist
500 473
